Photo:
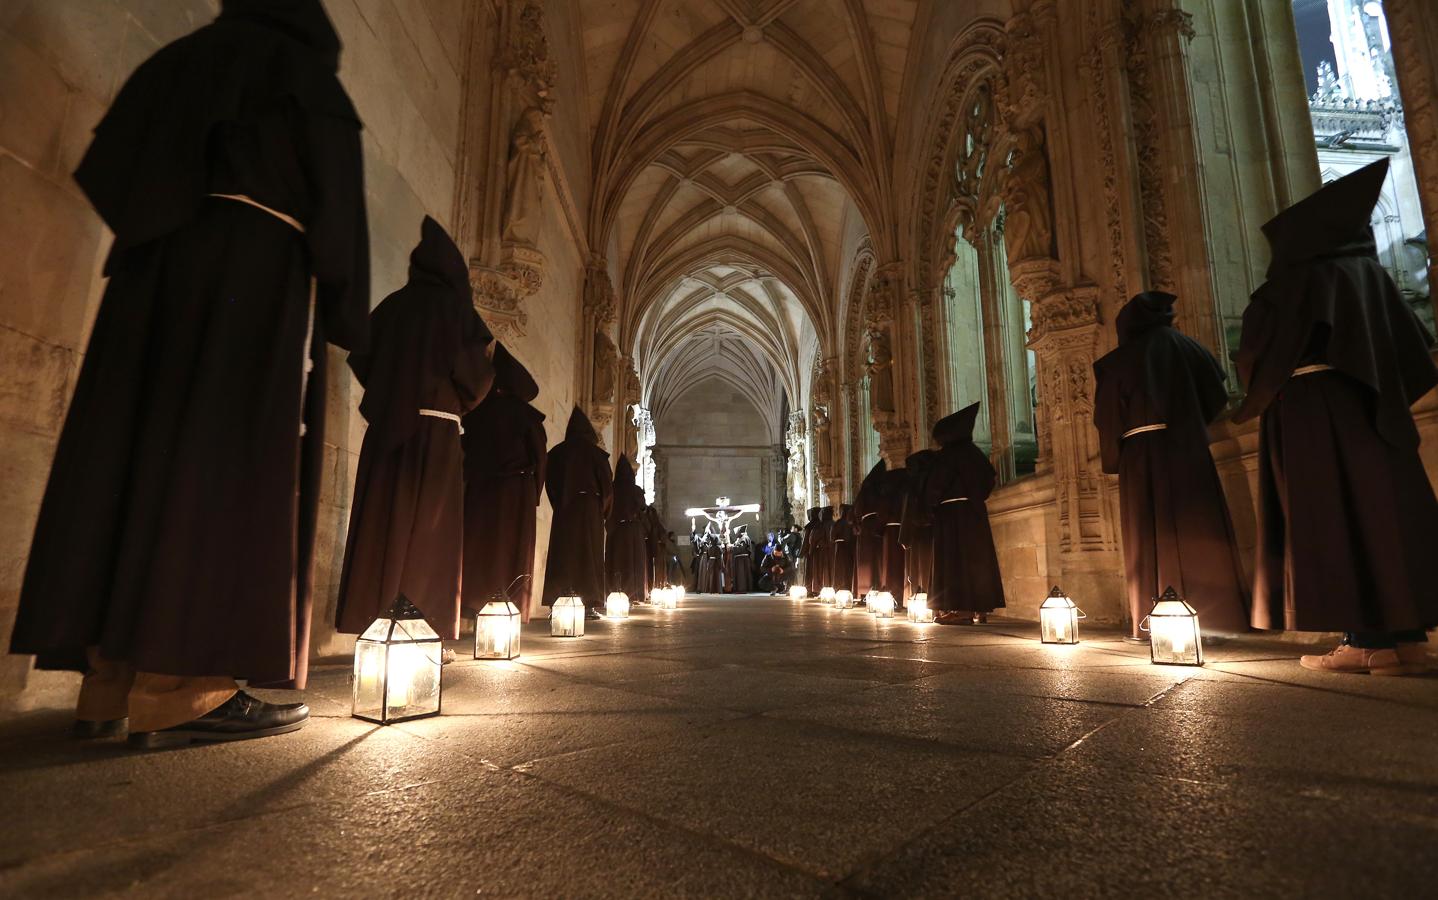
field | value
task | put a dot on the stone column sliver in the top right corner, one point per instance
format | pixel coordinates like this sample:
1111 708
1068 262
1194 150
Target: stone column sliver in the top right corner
1414 29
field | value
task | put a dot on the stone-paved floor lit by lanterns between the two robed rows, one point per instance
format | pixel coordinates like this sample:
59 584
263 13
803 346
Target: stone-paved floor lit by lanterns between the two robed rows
753 747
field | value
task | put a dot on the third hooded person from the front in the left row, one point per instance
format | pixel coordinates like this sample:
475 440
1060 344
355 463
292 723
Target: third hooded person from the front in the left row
504 479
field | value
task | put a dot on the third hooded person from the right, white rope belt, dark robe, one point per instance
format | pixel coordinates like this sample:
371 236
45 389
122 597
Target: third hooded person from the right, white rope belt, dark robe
966 564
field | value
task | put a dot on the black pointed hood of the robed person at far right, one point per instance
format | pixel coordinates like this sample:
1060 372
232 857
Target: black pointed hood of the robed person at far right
1337 216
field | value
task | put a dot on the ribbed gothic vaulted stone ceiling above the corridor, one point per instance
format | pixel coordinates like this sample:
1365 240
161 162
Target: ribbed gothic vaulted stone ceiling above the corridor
733 140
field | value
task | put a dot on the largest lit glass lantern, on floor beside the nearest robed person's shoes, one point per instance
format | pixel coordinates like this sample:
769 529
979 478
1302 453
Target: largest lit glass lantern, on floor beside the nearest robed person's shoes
398 668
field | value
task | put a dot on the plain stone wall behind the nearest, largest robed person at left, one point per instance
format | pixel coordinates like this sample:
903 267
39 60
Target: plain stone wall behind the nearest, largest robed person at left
61 64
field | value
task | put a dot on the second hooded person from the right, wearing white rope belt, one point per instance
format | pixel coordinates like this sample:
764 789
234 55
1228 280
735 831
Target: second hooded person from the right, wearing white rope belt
1155 396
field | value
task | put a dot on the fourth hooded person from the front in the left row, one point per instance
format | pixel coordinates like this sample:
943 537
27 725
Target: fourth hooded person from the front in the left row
580 491
